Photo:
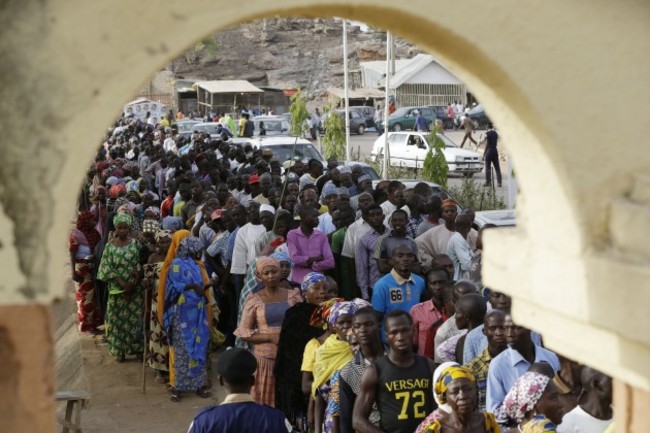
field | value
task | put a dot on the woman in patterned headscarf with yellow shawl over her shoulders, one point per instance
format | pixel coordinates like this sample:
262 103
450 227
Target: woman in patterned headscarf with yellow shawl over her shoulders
330 358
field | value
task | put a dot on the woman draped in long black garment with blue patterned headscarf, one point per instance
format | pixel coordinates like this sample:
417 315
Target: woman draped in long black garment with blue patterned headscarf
295 334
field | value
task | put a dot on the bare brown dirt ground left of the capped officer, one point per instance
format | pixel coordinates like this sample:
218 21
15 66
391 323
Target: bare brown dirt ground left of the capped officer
118 403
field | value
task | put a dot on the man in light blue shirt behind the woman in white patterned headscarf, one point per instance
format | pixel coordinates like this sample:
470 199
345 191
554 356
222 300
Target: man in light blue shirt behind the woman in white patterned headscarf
513 362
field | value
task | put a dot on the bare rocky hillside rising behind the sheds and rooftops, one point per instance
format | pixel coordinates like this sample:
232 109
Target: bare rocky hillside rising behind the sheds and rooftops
287 53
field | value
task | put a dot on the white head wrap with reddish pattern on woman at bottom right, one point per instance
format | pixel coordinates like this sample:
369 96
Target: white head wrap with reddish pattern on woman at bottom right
523 396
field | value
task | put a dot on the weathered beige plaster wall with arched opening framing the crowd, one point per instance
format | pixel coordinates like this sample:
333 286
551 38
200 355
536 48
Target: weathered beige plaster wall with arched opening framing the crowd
565 82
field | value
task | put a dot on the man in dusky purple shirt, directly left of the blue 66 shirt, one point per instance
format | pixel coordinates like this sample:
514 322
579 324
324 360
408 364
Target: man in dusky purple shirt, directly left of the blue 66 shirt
367 270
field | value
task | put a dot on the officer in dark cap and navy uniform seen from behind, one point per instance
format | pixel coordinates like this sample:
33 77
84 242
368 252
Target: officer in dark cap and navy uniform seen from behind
239 412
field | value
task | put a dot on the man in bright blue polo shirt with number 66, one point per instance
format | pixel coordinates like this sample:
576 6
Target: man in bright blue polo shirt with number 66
400 289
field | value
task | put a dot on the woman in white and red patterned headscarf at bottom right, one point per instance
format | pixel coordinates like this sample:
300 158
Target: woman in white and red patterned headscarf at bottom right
532 404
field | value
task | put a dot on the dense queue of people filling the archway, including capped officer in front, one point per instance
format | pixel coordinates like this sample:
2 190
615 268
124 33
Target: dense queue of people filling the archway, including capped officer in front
344 305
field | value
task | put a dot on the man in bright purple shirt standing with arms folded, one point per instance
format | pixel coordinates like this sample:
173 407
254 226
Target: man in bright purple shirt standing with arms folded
308 247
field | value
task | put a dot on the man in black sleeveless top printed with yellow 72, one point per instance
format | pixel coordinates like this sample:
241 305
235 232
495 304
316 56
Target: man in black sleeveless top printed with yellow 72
400 383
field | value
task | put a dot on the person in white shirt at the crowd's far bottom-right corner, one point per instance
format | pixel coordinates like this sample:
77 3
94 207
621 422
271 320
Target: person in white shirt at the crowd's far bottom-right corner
594 413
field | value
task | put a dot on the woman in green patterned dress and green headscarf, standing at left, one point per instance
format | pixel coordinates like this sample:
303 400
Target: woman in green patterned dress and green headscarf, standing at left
120 269
